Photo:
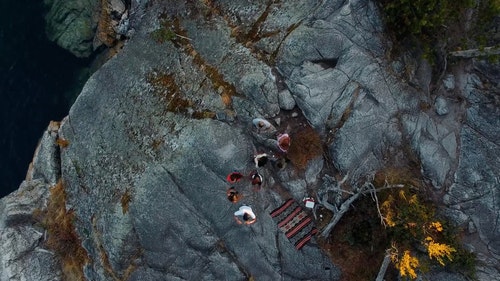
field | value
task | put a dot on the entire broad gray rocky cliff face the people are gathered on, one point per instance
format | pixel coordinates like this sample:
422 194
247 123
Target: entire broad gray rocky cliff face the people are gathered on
145 149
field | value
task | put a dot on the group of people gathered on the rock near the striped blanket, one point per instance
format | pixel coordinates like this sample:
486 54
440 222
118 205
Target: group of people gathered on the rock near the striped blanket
245 214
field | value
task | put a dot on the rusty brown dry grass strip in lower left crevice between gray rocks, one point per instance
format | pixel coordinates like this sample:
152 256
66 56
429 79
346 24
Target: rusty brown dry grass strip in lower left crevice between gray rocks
62 237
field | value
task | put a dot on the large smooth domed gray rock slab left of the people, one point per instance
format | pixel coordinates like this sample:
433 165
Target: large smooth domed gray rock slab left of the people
174 167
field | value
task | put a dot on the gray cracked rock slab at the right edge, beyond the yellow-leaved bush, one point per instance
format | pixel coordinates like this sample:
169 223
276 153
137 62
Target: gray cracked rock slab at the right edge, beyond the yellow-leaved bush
476 182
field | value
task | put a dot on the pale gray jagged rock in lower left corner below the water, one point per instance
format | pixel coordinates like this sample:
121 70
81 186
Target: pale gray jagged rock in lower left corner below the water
24 256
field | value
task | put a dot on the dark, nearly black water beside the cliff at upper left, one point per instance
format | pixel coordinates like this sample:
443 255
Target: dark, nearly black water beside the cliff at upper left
37 79
